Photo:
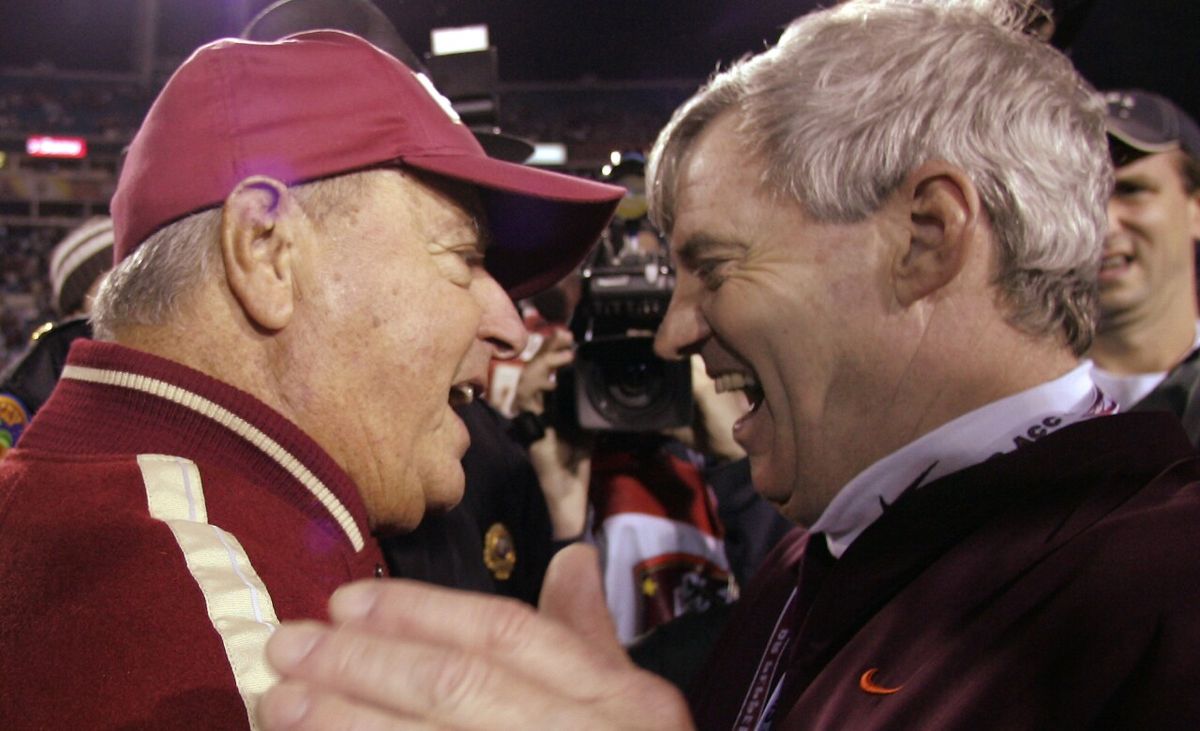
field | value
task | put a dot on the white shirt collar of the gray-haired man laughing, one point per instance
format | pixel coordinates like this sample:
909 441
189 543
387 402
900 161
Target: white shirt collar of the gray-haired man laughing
1000 427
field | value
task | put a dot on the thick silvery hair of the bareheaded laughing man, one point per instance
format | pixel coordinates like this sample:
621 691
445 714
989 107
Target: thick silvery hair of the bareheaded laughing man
855 98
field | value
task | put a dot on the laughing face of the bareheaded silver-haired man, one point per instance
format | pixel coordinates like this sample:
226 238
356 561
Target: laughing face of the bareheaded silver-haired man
781 307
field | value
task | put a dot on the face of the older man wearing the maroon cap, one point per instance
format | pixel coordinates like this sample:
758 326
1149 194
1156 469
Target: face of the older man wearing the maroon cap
403 323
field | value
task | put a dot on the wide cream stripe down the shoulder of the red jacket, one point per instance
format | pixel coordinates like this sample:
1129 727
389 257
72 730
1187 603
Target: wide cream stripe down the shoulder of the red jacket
237 601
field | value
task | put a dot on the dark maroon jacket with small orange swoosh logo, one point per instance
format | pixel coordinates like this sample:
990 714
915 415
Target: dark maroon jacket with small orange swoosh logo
1054 588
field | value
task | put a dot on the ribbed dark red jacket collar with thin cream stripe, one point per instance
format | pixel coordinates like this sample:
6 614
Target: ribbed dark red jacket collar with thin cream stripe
176 405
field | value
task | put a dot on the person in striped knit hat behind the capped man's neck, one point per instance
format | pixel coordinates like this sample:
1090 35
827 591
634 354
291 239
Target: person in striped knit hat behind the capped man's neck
79 263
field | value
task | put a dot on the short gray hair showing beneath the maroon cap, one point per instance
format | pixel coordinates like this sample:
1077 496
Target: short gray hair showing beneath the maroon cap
154 285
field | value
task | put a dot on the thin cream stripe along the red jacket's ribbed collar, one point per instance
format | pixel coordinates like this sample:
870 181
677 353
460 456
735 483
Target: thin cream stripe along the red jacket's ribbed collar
235 423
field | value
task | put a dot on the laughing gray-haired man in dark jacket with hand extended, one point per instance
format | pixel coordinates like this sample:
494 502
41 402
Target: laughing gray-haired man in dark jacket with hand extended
889 229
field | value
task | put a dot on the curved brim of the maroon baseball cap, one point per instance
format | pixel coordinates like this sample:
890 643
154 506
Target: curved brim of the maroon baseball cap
543 224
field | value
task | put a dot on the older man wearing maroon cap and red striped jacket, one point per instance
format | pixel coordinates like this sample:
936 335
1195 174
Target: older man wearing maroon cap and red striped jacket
315 262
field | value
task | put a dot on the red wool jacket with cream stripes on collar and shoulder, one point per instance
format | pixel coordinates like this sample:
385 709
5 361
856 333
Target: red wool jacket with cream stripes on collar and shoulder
155 526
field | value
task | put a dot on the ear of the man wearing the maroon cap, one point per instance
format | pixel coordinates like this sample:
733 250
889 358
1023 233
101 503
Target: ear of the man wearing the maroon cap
257 243
